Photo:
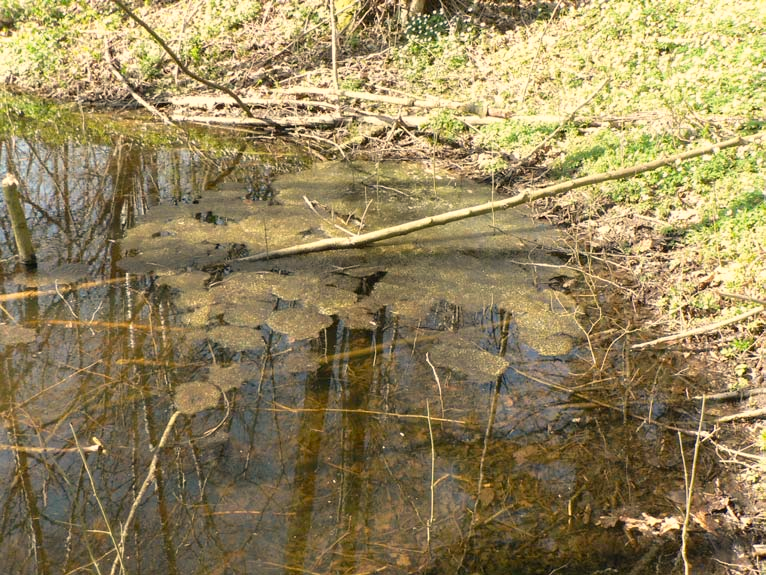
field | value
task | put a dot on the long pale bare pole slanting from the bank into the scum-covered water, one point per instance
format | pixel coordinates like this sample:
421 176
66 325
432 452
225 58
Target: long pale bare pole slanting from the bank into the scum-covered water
523 197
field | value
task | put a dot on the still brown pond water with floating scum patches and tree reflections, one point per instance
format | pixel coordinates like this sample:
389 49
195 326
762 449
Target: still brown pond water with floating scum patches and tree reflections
403 408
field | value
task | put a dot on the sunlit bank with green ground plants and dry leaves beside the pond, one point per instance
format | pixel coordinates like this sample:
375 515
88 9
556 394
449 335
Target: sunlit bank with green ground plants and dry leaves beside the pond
646 79
